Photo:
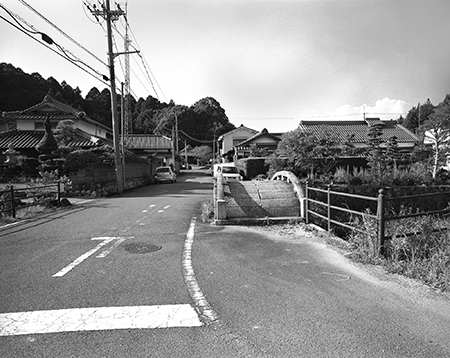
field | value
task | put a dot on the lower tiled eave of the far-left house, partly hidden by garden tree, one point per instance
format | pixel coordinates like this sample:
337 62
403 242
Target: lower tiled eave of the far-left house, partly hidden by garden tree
29 139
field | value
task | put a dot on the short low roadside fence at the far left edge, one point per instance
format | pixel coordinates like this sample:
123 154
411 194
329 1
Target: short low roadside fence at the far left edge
14 198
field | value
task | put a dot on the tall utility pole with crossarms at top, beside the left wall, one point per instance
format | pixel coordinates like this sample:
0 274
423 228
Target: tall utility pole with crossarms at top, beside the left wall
112 16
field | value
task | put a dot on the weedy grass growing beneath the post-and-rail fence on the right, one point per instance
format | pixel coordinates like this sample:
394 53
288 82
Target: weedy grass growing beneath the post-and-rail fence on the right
418 248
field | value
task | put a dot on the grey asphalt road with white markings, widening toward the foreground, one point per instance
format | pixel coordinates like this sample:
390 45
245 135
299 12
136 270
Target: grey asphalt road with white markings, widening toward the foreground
241 292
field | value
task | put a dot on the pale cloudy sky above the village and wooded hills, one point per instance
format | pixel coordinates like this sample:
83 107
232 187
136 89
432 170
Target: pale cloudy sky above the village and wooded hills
269 63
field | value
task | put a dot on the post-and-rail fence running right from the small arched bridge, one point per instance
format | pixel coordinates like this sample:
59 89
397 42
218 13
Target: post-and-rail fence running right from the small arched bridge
379 203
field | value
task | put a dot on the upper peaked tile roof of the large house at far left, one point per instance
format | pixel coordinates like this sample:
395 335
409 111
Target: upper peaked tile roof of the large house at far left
54 109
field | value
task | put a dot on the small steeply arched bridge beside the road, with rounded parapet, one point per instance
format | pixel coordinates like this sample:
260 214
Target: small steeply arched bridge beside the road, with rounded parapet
280 198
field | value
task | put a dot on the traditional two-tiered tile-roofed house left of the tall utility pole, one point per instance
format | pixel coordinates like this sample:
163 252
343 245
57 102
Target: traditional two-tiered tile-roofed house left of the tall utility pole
24 129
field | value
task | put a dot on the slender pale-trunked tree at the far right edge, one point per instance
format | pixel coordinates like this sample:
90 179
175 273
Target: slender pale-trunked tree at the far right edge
437 130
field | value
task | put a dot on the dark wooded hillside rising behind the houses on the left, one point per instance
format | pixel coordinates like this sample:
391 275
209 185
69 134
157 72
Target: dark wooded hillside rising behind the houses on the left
198 124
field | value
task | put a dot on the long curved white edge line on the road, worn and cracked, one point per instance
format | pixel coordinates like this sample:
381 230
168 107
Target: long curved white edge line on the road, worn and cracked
193 287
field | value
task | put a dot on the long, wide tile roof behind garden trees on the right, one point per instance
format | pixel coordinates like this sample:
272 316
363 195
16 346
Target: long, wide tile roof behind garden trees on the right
342 130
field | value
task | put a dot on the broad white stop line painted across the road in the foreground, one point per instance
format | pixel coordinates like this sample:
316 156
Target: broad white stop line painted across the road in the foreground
98 318
